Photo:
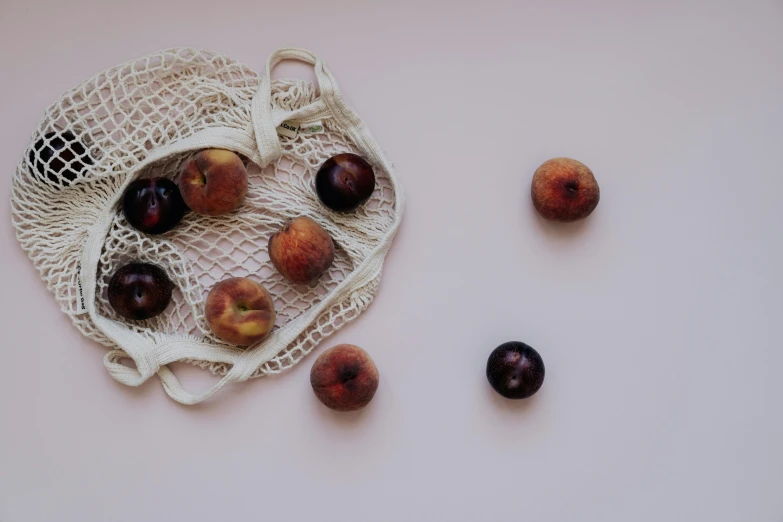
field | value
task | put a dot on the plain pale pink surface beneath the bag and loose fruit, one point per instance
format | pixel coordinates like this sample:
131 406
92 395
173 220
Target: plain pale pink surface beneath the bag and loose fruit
658 317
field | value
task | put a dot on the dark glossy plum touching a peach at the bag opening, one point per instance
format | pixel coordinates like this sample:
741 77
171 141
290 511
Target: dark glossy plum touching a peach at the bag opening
153 205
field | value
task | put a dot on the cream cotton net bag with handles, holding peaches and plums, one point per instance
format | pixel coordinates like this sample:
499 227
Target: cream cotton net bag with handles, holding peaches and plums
145 118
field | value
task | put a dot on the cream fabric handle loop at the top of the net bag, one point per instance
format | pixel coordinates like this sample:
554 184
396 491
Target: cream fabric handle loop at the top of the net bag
261 112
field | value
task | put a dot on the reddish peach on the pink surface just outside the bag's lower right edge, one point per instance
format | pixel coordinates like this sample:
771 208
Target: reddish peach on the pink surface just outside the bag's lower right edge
344 378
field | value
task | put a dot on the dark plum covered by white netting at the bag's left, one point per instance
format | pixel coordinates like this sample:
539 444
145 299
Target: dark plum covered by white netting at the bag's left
60 157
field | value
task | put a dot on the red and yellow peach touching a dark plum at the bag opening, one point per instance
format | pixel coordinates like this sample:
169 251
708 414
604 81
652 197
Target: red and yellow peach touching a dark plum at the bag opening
213 182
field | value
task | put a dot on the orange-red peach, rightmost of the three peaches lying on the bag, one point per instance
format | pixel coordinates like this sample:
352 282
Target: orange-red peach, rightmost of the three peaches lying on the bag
301 251
